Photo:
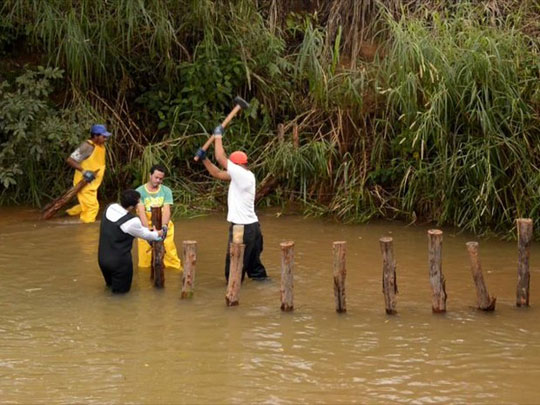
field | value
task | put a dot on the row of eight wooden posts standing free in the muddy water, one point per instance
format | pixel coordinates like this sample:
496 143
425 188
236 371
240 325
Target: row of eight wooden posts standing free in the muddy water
389 280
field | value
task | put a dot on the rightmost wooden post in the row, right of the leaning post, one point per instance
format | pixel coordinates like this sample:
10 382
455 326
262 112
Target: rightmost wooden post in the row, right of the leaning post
525 233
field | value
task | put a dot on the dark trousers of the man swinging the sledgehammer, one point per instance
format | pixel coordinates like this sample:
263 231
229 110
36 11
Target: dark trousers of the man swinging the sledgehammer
252 254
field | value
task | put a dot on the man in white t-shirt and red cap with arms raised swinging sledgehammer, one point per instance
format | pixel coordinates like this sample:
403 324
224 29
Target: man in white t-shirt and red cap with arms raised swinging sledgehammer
240 203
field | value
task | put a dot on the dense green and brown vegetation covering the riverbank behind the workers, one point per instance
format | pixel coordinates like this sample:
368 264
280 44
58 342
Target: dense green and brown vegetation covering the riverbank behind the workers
412 110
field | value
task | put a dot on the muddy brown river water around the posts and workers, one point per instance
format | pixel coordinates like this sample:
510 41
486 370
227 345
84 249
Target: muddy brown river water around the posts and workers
65 339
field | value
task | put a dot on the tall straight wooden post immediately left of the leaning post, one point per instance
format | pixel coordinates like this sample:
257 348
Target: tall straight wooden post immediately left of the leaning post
436 277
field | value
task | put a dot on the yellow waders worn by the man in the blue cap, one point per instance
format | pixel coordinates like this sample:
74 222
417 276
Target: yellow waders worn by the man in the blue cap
88 206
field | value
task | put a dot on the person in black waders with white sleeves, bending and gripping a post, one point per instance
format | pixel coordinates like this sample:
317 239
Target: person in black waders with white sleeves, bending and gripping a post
118 229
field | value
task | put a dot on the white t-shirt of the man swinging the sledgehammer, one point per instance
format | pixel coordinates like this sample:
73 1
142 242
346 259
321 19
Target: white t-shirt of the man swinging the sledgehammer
241 197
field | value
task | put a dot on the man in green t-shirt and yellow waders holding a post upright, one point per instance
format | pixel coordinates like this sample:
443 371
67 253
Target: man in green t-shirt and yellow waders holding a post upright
155 194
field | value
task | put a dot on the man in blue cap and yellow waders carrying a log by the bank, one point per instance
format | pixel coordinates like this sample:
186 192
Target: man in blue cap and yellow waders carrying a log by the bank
88 160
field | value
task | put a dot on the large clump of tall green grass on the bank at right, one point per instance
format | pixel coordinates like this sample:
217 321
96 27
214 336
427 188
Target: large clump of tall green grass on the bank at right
460 92
